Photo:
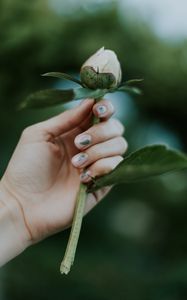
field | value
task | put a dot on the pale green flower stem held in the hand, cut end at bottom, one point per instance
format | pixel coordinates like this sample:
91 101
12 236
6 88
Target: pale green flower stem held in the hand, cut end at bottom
77 222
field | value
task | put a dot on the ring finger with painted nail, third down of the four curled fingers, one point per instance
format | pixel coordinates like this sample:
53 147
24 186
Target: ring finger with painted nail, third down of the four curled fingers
113 147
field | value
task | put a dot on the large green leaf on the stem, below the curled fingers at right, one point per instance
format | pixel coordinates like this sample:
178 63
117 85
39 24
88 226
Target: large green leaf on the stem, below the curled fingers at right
146 162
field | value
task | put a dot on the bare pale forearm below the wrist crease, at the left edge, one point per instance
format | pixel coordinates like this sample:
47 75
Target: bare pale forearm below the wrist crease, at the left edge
13 235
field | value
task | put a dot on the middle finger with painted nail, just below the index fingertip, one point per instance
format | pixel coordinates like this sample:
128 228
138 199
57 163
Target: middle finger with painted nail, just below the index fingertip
99 133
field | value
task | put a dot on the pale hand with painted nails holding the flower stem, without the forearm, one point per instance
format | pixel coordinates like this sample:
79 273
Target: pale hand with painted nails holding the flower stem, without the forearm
44 173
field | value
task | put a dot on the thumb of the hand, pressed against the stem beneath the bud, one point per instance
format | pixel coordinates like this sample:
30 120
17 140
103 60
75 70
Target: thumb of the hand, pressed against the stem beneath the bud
68 119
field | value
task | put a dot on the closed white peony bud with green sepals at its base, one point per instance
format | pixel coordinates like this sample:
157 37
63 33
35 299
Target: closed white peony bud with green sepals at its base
102 70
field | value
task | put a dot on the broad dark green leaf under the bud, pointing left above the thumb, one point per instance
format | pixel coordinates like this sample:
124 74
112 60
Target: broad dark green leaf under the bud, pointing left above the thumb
46 98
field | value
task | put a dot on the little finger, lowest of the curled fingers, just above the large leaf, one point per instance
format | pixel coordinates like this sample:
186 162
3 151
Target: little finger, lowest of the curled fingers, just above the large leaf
100 168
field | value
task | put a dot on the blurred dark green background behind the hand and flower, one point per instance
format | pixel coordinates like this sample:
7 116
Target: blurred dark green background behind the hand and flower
133 246
